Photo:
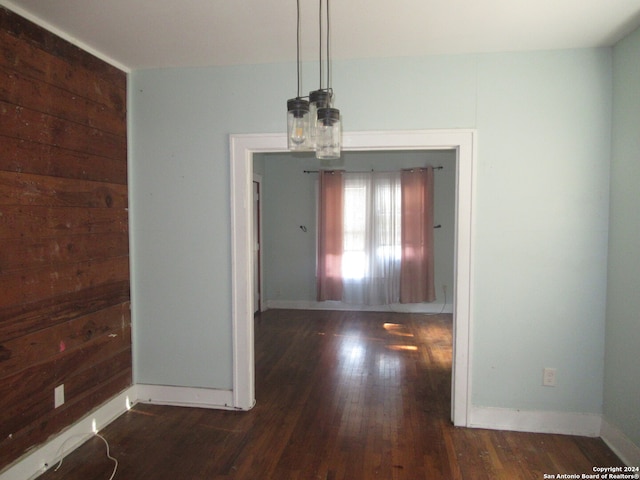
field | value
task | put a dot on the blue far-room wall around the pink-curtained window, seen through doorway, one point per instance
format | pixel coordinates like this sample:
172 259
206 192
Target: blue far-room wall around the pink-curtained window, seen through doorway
289 201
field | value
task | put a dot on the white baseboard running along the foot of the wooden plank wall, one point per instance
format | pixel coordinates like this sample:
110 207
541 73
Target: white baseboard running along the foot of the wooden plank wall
38 460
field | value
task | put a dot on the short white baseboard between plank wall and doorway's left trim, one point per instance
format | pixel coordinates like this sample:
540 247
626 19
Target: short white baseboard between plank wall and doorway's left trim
185 396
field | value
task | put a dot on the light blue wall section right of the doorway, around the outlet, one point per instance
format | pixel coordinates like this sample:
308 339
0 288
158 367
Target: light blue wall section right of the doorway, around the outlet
541 233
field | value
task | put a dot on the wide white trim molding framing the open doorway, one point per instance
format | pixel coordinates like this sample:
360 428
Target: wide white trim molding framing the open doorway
242 149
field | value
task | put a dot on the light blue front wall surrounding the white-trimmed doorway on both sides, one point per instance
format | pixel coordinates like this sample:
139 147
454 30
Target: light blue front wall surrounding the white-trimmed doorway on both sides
541 207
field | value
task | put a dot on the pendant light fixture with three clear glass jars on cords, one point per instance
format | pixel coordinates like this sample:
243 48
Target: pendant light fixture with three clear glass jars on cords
315 124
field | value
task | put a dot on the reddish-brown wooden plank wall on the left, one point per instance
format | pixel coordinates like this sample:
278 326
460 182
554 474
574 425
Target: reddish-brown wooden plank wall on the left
64 258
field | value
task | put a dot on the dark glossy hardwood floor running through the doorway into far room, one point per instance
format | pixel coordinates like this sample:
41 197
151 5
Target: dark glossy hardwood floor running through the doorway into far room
340 395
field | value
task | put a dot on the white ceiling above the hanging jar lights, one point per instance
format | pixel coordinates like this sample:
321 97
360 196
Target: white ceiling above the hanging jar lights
165 33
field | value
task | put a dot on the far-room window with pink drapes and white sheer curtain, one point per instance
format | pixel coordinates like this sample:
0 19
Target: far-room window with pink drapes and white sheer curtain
375 237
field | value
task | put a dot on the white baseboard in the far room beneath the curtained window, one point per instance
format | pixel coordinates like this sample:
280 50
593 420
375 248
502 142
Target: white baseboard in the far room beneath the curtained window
334 305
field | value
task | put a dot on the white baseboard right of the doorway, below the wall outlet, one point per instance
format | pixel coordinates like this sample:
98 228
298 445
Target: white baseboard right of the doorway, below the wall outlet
566 423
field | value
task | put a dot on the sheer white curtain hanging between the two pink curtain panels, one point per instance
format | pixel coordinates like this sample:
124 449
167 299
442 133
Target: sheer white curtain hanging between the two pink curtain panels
372 234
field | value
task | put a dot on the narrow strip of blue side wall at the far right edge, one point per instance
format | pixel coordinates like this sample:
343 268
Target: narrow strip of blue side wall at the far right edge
622 360
